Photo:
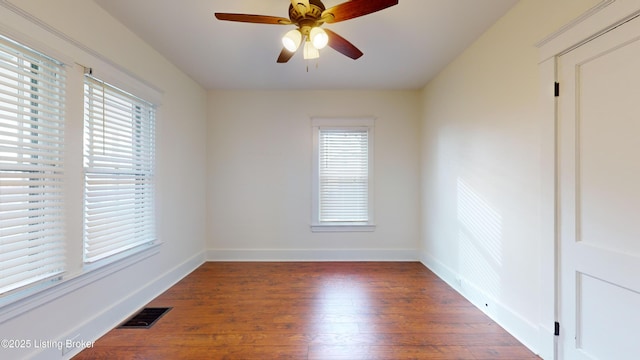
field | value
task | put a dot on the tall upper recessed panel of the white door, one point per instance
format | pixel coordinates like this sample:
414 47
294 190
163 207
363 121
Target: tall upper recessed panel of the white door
608 126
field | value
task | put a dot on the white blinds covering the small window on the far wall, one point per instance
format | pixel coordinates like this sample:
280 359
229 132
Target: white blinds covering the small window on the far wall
343 175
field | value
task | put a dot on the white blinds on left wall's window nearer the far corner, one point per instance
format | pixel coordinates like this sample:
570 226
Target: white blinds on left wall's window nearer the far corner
119 160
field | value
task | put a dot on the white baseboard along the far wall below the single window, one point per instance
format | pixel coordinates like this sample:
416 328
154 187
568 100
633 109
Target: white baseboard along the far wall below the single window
312 255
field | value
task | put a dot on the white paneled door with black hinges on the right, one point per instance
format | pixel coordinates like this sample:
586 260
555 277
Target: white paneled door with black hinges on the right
599 197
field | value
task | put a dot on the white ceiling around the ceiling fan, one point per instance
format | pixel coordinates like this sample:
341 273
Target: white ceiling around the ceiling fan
404 46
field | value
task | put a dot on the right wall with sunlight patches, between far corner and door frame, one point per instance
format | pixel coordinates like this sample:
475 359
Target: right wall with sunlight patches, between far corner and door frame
481 170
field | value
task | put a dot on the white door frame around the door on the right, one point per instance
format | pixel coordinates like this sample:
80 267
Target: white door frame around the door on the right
604 16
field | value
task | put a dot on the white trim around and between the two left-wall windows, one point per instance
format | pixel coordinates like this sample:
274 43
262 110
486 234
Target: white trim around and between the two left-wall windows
72 54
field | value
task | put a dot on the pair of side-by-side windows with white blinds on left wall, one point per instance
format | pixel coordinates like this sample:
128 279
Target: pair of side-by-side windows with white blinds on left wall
72 198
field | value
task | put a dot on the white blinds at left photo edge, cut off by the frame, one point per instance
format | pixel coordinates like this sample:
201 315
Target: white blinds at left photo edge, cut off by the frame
31 167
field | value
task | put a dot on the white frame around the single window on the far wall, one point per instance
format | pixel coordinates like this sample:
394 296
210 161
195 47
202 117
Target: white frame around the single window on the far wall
318 124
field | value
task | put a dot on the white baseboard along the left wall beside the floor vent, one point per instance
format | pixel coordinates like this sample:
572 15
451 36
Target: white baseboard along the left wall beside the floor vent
95 327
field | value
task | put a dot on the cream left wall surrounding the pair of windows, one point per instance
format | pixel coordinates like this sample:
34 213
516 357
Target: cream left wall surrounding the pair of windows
96 307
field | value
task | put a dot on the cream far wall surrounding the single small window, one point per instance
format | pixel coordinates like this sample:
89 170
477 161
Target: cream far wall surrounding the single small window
259 201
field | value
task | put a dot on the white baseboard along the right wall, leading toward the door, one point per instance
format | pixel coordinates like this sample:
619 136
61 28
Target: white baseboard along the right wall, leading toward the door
523 330
